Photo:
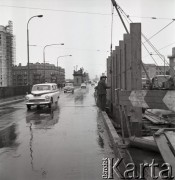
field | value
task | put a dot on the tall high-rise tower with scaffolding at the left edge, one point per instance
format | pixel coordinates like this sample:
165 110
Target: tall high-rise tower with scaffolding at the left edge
7 57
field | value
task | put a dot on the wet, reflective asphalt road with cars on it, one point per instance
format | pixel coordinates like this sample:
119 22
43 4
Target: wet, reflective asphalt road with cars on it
65 143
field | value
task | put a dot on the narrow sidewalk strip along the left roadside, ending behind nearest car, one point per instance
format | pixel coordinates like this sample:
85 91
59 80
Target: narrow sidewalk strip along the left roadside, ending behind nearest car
9 100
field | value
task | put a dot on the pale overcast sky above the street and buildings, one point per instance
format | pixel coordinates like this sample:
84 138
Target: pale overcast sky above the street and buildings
84 26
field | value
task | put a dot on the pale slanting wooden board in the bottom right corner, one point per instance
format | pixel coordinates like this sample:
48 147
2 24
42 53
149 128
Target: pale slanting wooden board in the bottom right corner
165 151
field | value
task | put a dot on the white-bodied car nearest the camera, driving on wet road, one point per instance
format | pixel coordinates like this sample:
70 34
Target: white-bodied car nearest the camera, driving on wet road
42 94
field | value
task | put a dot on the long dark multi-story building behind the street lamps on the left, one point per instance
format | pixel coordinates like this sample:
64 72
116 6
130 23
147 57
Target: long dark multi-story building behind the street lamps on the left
52 74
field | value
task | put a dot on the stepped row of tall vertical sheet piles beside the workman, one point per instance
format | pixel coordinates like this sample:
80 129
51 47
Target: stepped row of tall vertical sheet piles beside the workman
124 73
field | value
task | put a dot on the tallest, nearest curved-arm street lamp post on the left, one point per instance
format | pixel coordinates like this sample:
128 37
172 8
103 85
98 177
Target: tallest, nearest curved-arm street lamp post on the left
28 58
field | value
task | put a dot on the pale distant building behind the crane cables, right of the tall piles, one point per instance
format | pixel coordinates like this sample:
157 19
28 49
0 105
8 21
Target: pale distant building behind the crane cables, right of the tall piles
153 70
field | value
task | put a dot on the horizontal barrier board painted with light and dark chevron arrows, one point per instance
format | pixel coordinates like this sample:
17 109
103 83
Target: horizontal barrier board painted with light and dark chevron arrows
153 99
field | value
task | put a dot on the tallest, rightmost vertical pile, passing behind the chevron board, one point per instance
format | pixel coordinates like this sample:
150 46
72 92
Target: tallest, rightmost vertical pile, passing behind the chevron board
135 33
